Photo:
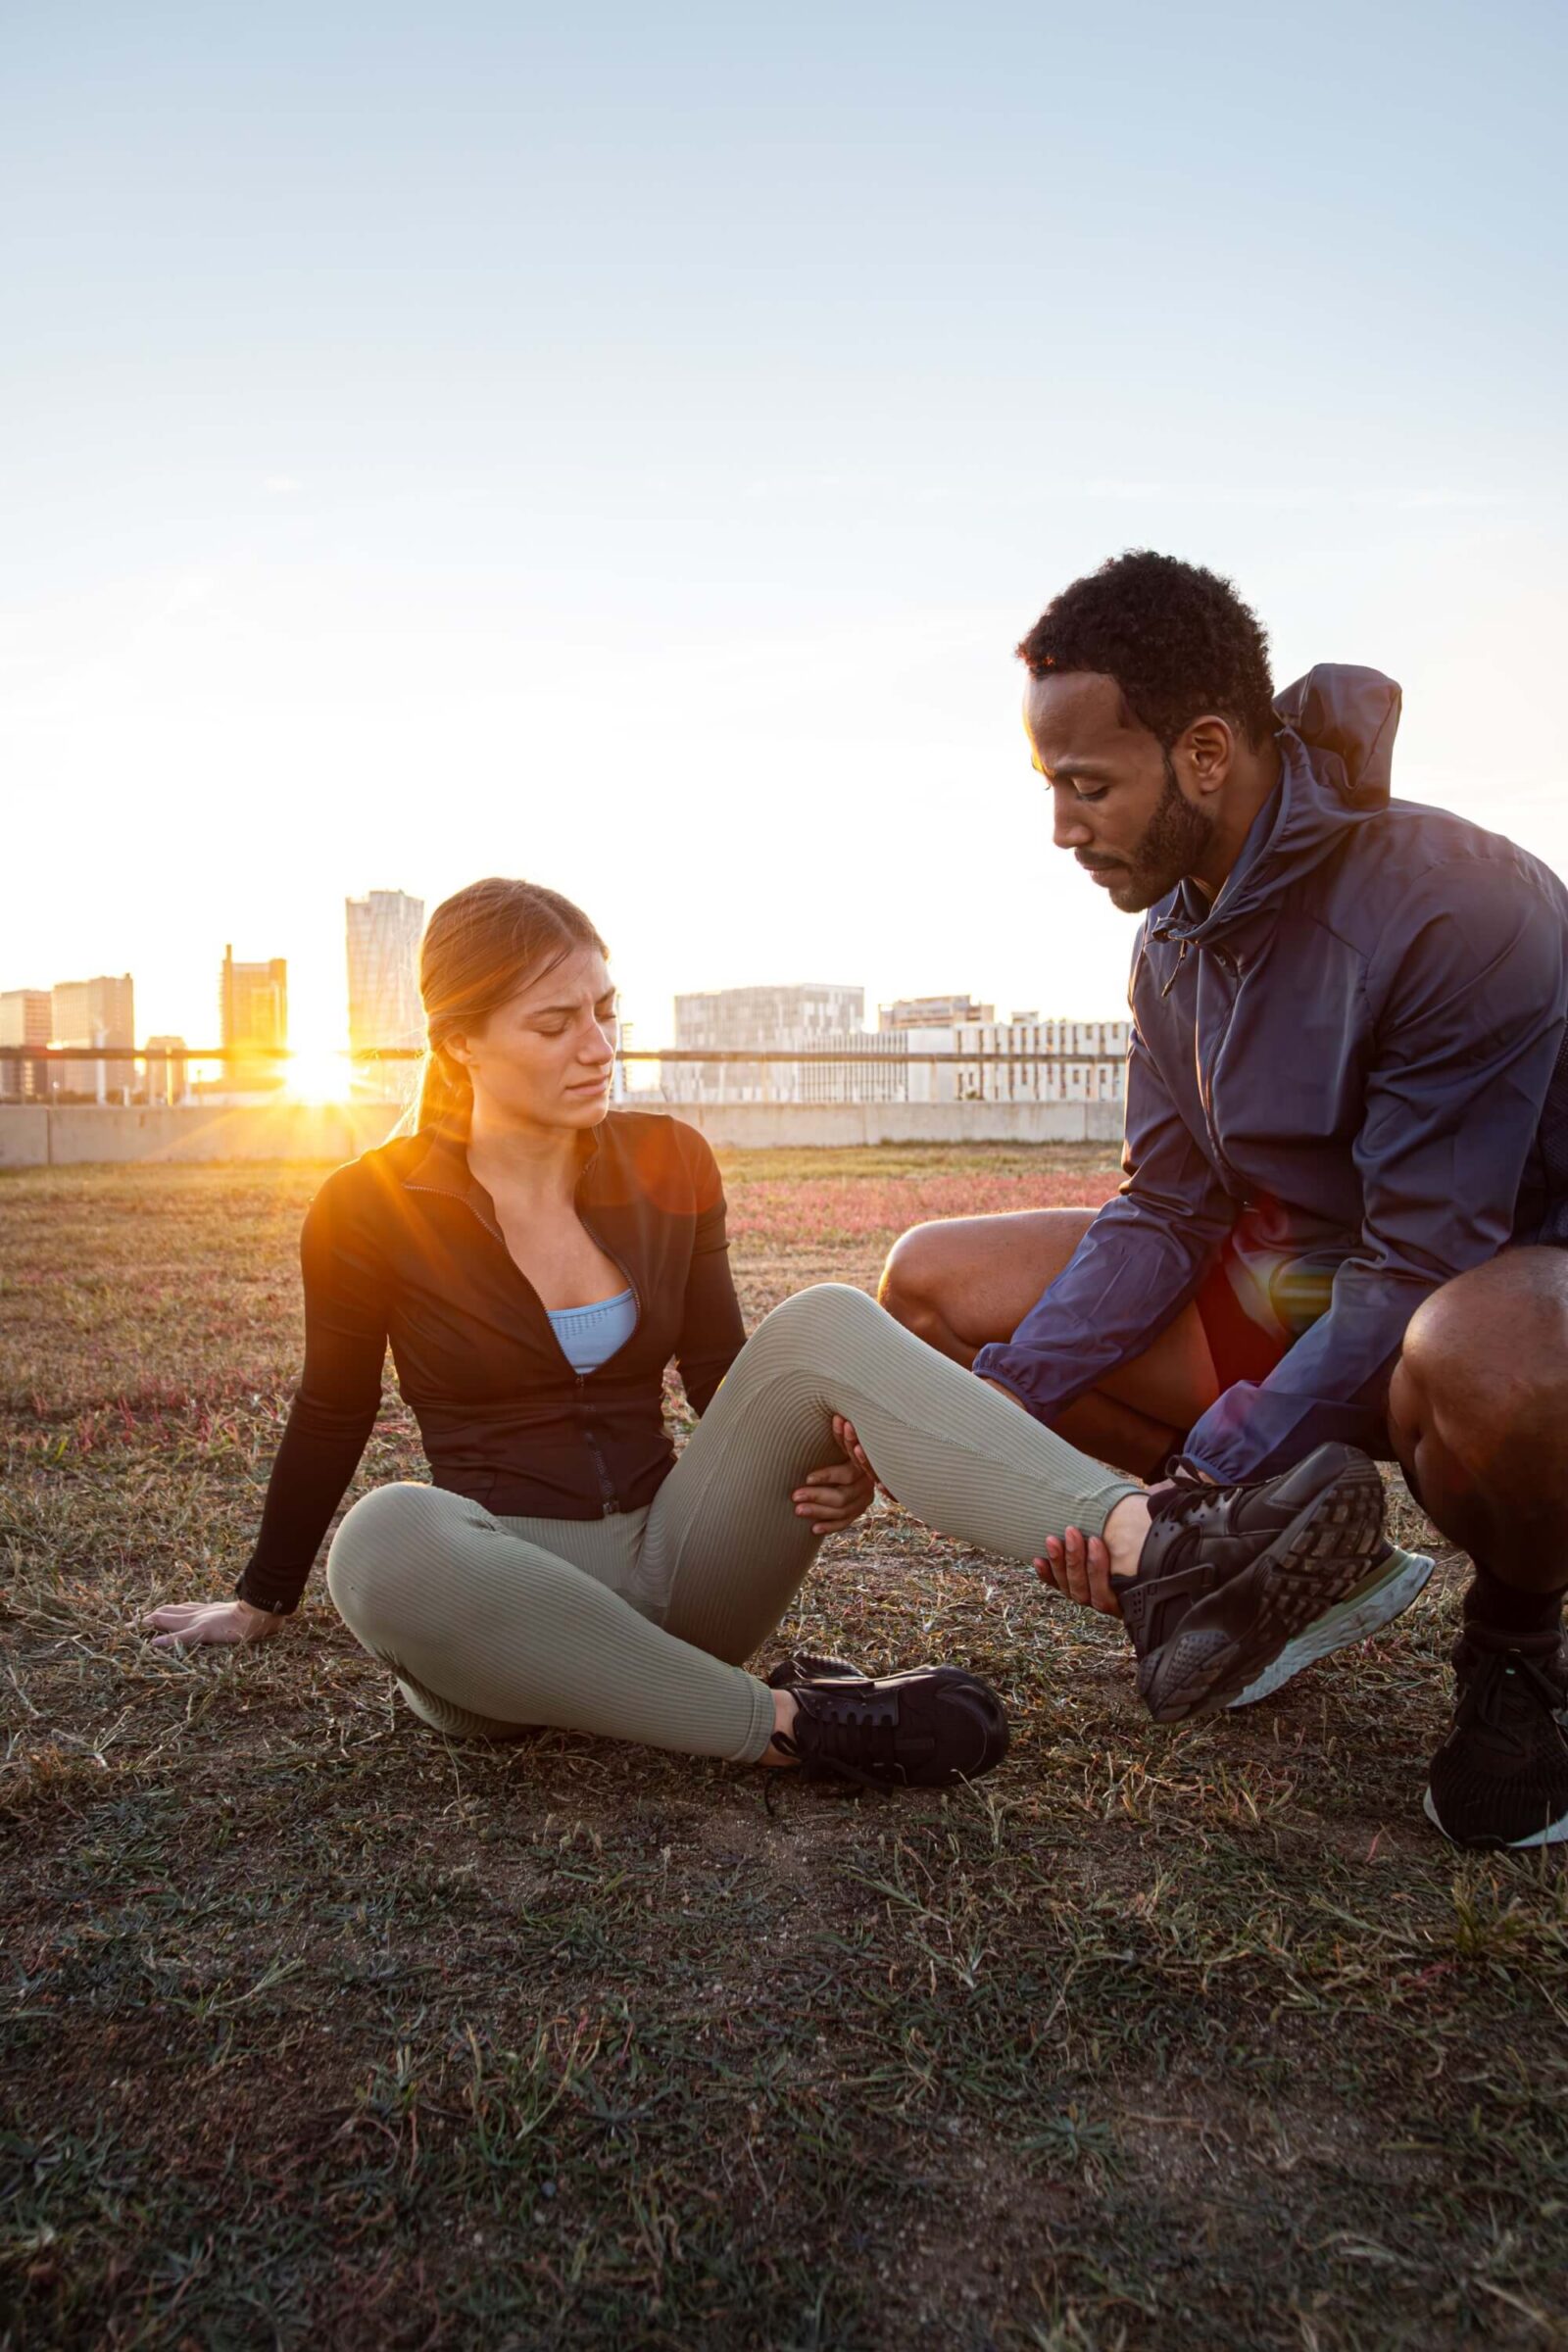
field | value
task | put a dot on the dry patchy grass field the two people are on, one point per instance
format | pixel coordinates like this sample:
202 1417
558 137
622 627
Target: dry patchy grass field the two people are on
321 2031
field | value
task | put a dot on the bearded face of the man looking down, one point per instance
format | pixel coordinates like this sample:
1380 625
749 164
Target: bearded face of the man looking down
1115 791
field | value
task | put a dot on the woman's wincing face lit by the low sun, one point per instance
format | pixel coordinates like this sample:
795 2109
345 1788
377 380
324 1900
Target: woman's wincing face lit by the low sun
547 1057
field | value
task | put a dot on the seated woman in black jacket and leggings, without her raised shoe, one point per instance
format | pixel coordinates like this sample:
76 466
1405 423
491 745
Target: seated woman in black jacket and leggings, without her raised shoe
537 1262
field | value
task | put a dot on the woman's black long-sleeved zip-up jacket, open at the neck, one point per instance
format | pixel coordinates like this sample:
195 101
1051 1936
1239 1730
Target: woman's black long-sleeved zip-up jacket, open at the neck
403 1245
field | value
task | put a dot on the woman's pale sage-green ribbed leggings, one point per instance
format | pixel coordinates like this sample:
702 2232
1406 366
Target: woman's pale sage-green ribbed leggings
636 1626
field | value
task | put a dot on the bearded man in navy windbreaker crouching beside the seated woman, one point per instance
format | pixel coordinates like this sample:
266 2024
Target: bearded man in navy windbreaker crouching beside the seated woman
1346 1147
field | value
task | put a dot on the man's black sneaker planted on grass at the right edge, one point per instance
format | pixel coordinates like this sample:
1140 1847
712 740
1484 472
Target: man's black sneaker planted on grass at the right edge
1501 1777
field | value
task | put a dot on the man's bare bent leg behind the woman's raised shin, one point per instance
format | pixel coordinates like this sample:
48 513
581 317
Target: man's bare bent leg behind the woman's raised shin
970 1281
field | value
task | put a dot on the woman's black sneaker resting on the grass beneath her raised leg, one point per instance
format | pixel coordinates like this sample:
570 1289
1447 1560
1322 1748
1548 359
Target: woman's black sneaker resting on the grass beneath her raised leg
923 1730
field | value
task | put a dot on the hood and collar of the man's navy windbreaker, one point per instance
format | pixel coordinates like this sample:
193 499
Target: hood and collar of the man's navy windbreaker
1336 747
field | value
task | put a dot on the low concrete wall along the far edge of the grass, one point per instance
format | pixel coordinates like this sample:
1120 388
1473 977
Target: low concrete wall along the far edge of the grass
76 1135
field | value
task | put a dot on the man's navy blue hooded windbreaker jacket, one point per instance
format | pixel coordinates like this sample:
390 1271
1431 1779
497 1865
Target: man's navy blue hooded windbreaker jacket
1358 1060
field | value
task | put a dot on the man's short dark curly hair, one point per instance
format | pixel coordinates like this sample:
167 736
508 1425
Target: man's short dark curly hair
1179 641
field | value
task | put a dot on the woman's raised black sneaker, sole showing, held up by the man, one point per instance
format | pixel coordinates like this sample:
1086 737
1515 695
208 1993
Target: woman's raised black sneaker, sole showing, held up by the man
1231 1577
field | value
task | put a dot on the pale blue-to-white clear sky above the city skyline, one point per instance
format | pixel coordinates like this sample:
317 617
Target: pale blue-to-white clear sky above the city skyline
626 450
